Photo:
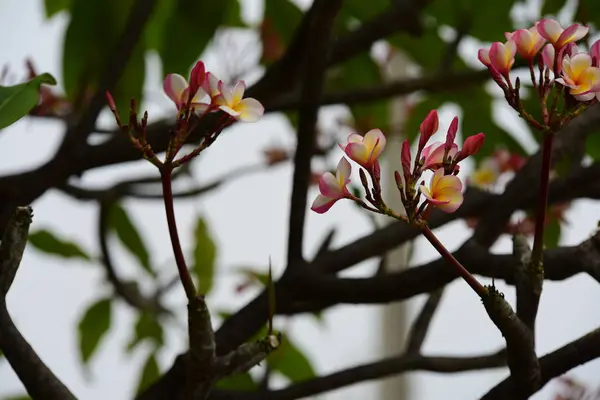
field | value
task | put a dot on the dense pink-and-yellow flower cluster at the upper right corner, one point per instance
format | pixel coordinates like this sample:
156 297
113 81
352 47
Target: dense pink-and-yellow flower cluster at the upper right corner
558 60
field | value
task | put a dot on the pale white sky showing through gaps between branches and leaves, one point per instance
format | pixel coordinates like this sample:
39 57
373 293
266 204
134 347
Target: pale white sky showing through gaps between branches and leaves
249 219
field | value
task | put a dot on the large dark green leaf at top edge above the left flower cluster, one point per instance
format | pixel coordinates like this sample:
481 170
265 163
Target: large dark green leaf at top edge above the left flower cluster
188 30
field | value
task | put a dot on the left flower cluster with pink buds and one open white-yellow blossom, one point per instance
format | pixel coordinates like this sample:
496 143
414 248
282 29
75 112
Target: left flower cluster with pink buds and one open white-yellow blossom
206 93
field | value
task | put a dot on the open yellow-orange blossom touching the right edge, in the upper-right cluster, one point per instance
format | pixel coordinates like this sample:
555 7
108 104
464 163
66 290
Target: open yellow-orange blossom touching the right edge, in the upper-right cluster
579 76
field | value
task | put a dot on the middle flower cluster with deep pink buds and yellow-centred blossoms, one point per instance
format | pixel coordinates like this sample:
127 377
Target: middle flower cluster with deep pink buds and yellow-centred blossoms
444 190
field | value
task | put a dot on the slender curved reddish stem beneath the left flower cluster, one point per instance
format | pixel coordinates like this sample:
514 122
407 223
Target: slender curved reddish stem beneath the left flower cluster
184 275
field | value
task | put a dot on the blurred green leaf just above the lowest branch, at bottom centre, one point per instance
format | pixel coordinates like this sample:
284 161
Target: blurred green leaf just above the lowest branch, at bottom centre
289 361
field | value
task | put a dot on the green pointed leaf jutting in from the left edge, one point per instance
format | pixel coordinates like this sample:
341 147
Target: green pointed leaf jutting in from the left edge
16 101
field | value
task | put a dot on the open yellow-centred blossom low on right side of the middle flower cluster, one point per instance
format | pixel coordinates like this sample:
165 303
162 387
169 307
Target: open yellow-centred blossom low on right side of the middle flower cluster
444 191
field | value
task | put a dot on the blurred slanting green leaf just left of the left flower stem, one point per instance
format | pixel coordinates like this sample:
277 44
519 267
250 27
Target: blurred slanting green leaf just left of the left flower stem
128 234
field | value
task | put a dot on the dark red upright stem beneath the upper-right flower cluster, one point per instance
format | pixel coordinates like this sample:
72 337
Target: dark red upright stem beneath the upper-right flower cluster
540 218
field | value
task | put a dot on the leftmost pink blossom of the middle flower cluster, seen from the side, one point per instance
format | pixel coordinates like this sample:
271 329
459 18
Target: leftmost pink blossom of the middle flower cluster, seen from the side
332 188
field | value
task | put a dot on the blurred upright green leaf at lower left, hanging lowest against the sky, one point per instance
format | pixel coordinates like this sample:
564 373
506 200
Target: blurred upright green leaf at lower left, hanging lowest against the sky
93 326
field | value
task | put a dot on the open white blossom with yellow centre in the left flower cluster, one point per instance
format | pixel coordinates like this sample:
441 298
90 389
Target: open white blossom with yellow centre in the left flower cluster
232 102
